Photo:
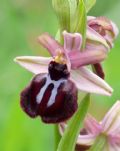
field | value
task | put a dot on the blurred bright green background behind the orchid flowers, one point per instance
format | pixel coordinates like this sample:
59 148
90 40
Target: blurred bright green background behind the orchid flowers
21 21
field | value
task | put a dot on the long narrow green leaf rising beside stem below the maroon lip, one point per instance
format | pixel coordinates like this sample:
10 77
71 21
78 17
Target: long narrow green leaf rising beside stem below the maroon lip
70 135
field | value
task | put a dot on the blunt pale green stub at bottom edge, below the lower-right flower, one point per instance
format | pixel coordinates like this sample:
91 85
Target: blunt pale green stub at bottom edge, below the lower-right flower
99 143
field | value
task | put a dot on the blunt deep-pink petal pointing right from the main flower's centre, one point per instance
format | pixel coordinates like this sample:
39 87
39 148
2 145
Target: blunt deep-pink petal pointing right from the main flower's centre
87 57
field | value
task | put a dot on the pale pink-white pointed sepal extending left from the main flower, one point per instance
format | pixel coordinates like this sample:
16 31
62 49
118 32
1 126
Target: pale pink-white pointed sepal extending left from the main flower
33 64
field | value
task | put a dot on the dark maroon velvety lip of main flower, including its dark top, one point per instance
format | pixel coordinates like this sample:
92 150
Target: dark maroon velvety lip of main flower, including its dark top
52 96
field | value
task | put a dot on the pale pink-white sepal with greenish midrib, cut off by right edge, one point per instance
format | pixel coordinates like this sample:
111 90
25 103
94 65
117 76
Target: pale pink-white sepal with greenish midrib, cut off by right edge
111 122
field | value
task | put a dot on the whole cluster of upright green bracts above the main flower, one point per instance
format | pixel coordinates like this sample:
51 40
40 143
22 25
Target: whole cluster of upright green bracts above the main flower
71 15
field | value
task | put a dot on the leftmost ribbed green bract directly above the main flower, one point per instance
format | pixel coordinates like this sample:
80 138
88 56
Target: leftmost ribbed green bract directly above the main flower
62 9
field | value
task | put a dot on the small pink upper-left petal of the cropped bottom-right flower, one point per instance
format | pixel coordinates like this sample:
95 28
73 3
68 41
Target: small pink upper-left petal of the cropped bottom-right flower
92 126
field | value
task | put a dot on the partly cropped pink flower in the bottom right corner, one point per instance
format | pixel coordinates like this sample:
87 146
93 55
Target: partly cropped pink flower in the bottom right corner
109 127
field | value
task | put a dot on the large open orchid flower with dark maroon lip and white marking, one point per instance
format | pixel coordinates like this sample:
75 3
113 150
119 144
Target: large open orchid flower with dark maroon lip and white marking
52 93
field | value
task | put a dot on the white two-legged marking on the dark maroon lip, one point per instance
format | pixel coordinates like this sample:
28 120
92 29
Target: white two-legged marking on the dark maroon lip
54 91
